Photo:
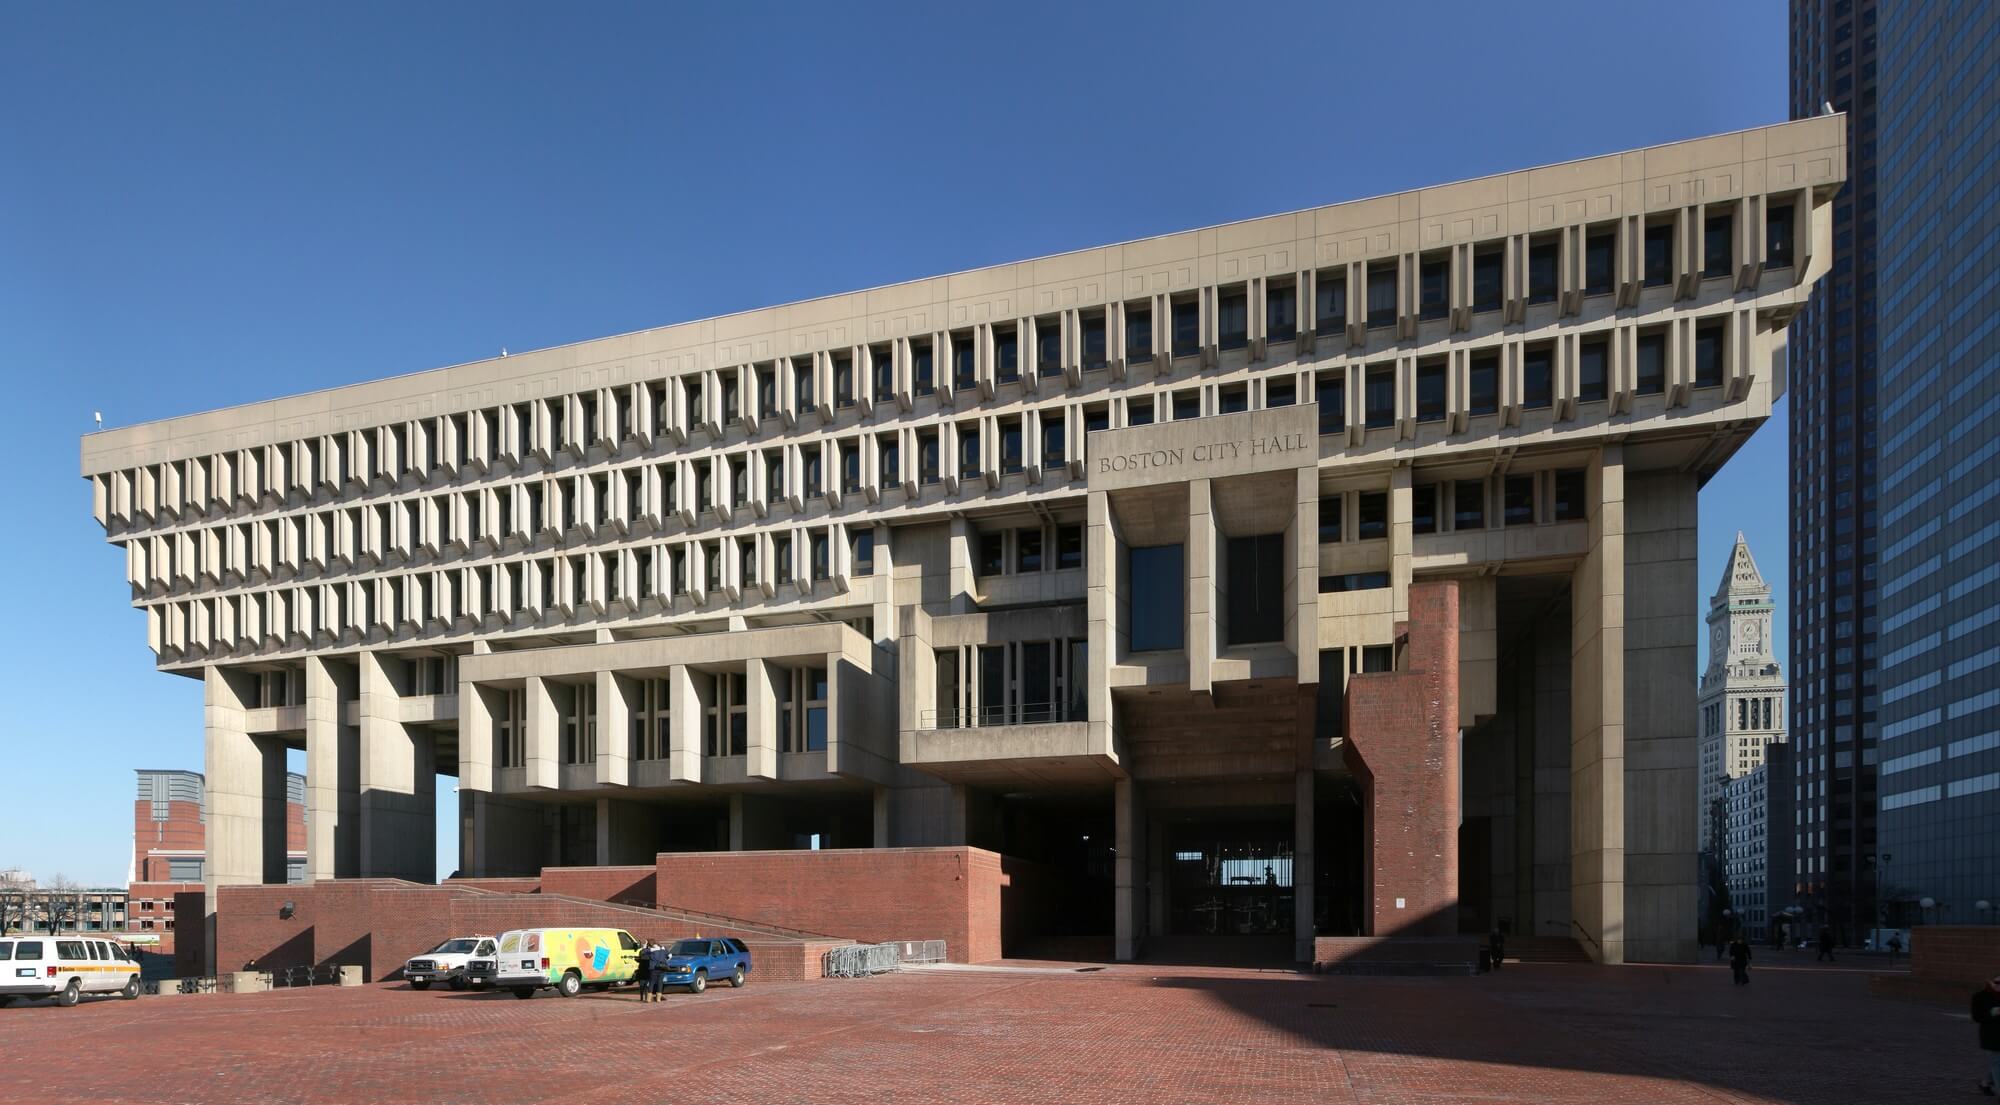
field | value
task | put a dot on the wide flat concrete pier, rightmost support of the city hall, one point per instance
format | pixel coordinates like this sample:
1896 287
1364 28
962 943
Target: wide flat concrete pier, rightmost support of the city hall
1661 754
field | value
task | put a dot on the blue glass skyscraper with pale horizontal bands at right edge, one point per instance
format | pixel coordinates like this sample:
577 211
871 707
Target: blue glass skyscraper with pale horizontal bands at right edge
1941 457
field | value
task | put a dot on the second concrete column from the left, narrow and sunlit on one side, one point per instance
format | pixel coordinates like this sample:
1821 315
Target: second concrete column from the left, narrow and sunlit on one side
333 774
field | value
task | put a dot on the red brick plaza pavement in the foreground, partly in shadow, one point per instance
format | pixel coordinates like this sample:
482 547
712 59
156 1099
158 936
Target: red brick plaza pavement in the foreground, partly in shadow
1547 1034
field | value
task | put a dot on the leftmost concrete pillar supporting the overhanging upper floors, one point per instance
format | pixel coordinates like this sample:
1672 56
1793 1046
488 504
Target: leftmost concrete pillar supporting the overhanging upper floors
245 782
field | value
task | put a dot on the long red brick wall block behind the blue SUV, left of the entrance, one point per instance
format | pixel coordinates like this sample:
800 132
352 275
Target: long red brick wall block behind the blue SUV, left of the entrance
873 896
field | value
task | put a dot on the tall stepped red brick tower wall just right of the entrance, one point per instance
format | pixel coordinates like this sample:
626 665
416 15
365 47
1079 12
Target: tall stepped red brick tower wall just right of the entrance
1403 746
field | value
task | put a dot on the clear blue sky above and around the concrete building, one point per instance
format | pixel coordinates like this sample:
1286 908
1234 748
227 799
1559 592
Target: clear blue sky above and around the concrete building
205 205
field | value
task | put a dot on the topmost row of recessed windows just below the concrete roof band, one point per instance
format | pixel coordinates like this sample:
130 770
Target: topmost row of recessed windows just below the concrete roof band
455 441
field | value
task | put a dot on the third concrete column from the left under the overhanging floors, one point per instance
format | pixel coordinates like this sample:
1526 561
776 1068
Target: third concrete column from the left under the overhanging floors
399 780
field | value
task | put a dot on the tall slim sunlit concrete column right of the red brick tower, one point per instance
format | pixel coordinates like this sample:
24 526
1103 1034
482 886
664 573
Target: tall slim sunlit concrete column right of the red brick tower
1597 718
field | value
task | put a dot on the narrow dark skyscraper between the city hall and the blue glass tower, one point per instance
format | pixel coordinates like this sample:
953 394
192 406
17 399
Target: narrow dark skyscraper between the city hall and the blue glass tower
1835 539
